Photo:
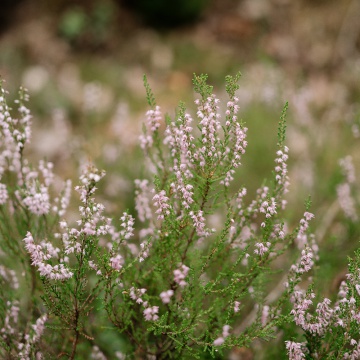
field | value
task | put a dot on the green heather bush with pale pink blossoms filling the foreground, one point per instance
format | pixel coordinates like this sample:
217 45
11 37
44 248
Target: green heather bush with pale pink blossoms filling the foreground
191 274
